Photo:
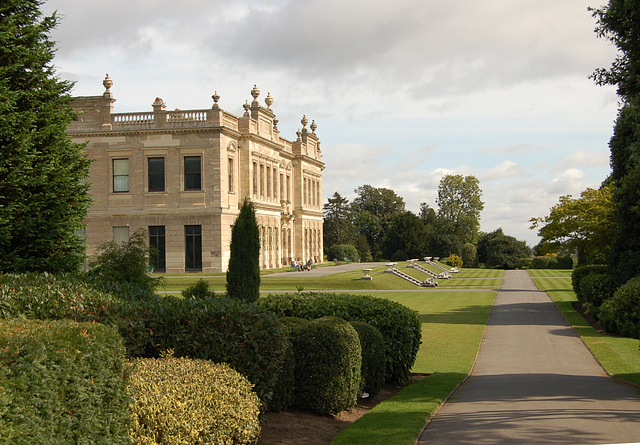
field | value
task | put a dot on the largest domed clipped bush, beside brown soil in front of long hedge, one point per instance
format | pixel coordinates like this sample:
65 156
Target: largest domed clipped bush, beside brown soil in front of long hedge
328 362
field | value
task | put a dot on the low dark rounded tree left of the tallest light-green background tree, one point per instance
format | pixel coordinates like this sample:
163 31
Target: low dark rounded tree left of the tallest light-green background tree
408 234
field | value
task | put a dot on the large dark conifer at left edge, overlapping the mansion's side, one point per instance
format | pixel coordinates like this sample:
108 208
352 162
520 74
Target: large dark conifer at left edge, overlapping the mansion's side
43 199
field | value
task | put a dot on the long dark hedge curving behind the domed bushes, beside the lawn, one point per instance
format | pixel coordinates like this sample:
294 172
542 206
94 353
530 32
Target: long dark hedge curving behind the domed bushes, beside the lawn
399 325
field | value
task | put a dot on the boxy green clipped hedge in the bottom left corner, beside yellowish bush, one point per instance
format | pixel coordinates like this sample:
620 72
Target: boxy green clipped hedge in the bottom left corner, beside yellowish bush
62 382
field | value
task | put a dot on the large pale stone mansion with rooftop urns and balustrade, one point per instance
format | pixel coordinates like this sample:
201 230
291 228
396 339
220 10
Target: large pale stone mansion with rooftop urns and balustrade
182 176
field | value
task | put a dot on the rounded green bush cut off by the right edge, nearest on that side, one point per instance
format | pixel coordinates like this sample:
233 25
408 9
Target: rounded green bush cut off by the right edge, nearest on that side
620 314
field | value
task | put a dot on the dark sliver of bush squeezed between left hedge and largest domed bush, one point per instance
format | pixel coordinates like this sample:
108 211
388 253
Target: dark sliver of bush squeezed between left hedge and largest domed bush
283 390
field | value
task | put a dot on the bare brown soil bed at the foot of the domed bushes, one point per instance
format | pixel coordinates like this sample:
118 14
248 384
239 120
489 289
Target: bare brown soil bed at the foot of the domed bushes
293 427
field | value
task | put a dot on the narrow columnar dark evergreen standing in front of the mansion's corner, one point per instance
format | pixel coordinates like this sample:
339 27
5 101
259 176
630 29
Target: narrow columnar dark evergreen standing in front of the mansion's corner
243 275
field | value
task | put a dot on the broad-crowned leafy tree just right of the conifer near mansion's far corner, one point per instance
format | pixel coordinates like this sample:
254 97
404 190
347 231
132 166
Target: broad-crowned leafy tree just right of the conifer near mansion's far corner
374 210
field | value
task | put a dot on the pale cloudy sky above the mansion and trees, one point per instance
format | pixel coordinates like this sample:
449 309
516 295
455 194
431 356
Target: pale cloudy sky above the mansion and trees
403 92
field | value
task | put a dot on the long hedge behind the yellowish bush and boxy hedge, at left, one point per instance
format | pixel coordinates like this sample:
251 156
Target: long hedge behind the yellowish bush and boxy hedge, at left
247 337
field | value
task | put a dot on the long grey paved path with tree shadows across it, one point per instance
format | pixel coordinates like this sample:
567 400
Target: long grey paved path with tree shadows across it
534 381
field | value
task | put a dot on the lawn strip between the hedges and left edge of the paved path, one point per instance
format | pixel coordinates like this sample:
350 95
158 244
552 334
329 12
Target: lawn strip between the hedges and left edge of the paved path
453 324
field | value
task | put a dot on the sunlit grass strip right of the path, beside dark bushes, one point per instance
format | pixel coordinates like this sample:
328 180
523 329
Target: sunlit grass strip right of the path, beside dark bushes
618 356
